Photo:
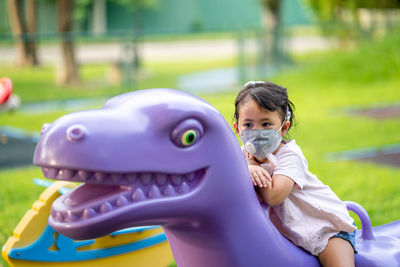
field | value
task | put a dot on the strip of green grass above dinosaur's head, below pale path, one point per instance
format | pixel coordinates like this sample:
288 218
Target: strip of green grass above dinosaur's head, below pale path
37 84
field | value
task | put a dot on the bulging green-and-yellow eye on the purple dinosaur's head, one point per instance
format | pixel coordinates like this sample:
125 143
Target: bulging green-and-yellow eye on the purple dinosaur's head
187 133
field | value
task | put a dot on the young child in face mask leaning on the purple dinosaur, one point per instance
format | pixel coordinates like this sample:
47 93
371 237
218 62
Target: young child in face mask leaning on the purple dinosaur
303 209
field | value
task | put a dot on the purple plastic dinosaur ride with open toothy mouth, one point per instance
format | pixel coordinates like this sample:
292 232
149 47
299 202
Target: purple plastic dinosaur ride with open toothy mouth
164 157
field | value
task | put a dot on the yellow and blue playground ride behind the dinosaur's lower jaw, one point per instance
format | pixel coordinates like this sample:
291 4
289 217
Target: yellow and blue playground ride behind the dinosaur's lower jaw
34 243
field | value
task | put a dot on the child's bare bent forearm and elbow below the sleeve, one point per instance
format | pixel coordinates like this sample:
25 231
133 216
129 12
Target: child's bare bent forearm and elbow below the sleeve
277 190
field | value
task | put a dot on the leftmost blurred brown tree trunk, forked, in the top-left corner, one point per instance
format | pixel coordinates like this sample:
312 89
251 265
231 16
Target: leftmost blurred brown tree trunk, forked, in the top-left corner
24 30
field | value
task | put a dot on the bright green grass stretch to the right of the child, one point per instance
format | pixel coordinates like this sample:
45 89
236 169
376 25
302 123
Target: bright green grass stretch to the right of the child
361 78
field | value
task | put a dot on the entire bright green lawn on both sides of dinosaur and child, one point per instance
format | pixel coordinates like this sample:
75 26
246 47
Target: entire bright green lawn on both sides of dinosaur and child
322 86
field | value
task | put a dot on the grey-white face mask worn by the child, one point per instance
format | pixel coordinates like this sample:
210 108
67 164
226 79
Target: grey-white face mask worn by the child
260 143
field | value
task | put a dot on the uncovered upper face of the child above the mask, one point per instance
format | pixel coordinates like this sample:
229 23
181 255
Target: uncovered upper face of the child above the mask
252 117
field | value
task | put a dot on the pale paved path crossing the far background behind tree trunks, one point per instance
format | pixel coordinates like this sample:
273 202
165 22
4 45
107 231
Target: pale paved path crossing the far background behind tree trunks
164 51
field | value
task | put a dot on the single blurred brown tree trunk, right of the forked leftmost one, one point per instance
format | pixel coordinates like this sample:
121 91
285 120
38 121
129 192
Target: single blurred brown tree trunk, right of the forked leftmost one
69 69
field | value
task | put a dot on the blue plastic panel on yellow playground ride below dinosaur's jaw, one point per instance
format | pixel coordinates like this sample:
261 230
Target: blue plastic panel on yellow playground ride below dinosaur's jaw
67 247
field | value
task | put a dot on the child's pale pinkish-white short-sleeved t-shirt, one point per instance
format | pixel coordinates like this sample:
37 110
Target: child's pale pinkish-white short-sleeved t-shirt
312 213
